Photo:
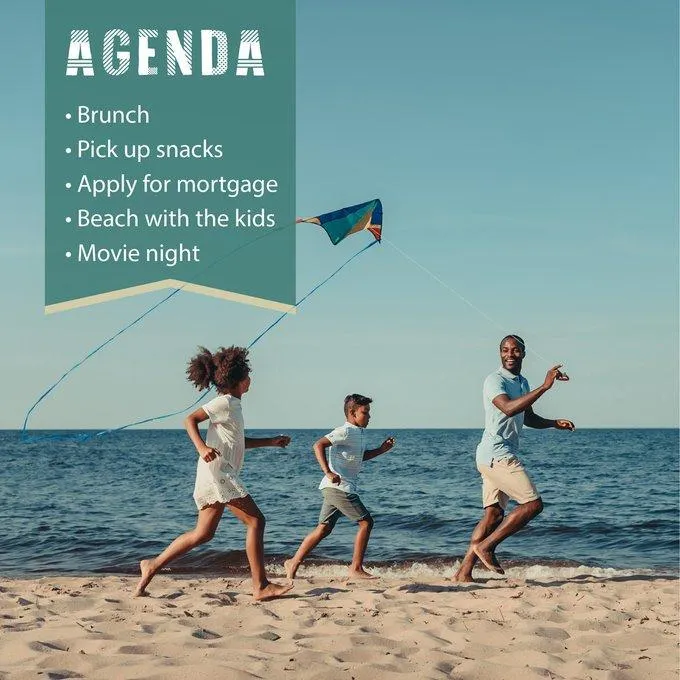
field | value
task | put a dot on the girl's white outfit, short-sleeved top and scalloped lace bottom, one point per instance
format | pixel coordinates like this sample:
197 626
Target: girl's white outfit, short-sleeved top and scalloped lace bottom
218 481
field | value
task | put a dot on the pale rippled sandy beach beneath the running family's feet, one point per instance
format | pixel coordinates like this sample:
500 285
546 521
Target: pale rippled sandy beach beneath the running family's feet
397 626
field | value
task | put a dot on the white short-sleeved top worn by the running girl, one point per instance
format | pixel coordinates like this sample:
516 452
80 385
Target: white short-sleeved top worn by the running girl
226 431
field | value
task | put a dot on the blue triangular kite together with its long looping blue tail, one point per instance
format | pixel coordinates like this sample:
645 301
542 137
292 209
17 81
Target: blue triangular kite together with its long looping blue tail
338 224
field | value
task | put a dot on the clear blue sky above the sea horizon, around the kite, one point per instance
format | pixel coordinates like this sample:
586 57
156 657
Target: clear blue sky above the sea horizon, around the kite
526 154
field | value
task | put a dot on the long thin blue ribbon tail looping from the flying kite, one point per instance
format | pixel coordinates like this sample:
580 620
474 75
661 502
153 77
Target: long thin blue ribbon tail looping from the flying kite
84 436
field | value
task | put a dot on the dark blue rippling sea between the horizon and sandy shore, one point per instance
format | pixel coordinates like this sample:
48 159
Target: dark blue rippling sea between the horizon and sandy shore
611 503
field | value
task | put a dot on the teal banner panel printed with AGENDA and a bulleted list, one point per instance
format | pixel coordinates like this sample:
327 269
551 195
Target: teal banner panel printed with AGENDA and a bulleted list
178 175
